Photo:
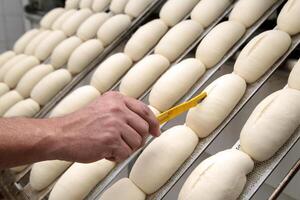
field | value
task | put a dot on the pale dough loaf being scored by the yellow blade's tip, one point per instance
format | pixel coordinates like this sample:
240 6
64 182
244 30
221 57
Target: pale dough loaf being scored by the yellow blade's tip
223 95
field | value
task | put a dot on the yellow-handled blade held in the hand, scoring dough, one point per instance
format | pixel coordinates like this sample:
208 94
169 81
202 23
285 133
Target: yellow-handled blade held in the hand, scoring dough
177 110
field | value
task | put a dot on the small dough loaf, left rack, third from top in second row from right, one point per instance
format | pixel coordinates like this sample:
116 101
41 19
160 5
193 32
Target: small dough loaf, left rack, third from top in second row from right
63 51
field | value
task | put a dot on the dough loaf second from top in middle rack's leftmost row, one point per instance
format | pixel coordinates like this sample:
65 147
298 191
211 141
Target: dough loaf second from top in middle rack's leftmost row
145 38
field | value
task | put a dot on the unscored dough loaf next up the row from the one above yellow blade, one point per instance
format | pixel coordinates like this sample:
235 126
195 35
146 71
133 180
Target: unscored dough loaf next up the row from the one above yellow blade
218 42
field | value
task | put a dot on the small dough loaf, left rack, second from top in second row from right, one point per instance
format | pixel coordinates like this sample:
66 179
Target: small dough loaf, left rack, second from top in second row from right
88 29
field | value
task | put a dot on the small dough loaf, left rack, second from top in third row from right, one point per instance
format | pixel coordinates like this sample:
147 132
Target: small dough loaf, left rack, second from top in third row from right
70 26
